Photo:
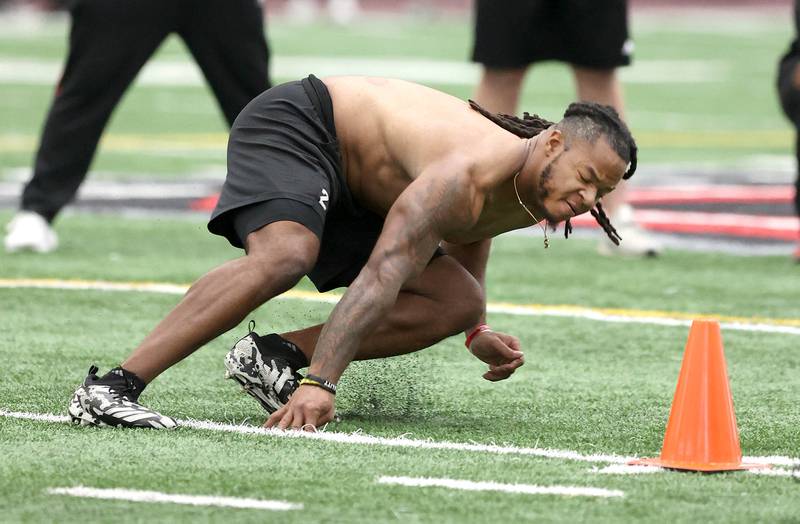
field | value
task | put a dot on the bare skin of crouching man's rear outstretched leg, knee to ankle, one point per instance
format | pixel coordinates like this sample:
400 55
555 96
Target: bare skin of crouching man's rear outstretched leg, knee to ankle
278 256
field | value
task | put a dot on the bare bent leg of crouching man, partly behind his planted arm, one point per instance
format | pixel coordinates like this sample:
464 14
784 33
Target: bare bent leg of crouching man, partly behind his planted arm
443 301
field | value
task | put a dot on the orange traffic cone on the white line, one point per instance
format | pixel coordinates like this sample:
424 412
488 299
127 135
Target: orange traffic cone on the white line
701 433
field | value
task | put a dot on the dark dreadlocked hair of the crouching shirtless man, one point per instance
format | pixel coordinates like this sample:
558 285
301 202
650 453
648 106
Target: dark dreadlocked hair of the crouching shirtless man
587 121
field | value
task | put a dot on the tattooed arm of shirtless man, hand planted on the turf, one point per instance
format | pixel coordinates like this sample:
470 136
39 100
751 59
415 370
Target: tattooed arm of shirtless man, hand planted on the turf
438 202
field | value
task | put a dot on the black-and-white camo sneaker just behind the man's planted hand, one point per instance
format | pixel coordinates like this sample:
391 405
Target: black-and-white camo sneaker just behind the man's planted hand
266 367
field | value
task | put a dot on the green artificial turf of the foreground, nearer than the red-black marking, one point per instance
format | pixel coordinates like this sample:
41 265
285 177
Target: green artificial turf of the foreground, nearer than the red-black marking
587 386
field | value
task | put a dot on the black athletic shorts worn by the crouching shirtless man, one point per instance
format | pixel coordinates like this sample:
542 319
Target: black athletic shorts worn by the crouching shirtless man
284 163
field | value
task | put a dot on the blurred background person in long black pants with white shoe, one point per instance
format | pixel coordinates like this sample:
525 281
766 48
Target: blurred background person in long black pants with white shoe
109 43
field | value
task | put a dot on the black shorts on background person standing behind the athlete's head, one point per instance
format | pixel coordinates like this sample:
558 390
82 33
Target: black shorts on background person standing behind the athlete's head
510 34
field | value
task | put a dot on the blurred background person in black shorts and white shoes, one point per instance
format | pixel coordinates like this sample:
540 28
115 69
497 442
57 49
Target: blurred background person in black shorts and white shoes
590 36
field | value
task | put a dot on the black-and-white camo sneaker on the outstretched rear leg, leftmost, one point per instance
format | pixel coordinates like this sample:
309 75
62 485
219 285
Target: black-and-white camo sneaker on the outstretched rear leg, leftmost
111 400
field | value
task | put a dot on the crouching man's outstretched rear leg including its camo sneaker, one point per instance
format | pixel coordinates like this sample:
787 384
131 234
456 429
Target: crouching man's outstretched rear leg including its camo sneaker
278 255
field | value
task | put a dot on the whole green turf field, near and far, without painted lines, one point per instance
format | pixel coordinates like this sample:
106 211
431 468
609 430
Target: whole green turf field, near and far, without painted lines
588 386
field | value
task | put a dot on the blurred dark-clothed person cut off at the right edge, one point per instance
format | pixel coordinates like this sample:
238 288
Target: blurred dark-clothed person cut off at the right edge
789 93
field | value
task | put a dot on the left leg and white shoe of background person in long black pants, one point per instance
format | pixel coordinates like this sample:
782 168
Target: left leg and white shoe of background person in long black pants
108 45
